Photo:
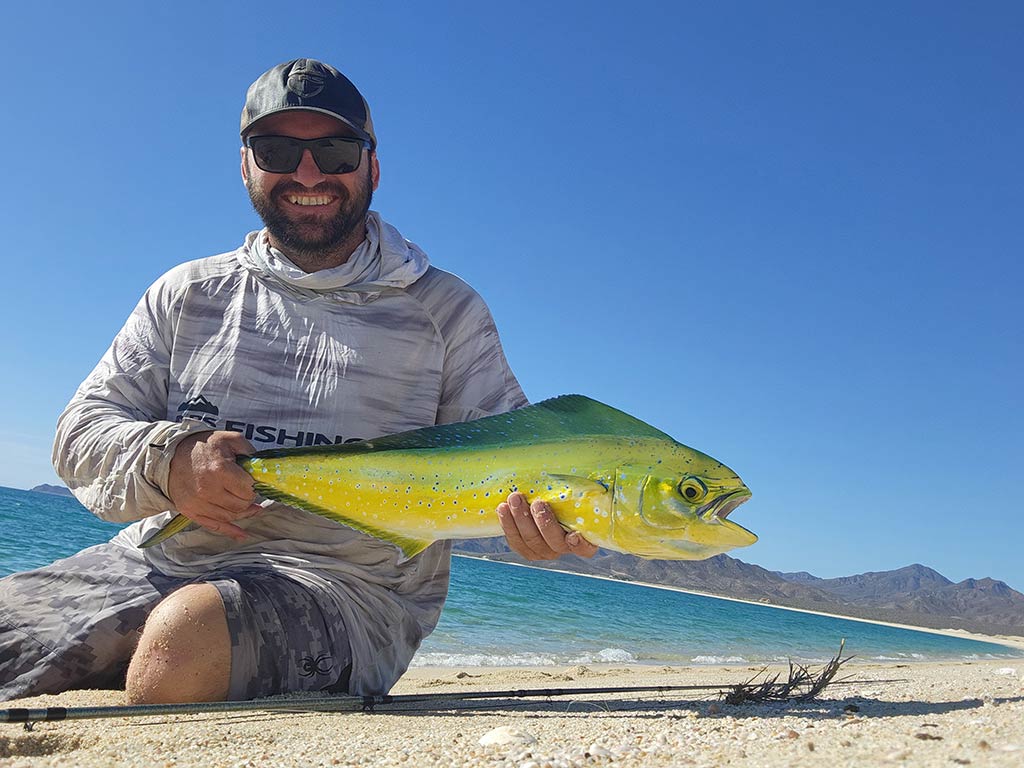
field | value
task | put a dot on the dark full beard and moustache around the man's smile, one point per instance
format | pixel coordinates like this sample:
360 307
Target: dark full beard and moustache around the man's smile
312 238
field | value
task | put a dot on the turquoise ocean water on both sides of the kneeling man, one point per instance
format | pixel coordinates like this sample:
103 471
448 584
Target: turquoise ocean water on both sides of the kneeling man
509 616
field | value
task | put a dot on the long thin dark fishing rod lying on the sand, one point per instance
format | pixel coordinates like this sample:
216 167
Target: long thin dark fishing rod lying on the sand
334 704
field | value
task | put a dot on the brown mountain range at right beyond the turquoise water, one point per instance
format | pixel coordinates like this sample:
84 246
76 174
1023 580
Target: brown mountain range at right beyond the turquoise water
915 595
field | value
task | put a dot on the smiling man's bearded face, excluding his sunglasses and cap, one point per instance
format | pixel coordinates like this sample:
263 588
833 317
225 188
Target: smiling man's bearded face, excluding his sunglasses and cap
309 214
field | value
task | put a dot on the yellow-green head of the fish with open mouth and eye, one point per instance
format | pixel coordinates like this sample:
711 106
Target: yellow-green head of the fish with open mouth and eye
659 514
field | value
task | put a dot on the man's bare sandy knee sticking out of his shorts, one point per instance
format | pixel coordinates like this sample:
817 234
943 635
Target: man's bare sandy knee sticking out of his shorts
185 654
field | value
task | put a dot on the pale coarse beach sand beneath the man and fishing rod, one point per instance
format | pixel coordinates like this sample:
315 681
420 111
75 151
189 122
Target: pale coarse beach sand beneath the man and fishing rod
965 713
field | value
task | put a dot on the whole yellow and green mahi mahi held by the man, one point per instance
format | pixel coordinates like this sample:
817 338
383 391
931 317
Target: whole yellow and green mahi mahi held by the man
621 484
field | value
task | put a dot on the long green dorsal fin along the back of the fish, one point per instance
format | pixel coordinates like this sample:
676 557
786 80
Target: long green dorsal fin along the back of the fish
565 417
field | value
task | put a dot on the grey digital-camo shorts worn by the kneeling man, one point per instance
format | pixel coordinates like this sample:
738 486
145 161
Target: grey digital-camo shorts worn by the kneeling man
75 624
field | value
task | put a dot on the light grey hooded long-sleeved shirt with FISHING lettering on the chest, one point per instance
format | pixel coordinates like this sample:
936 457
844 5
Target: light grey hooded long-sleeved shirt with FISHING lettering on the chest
247 342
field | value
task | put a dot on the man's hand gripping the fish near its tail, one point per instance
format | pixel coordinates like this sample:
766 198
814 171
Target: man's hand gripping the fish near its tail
206 485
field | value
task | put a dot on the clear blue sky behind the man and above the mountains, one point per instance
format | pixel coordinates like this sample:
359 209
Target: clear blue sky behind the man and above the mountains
788 234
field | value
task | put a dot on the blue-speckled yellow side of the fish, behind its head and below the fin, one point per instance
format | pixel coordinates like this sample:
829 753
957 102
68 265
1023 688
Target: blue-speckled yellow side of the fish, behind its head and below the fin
416 498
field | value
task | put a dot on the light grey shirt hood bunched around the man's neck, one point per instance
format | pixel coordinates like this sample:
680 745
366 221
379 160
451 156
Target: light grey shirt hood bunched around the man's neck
386 261
